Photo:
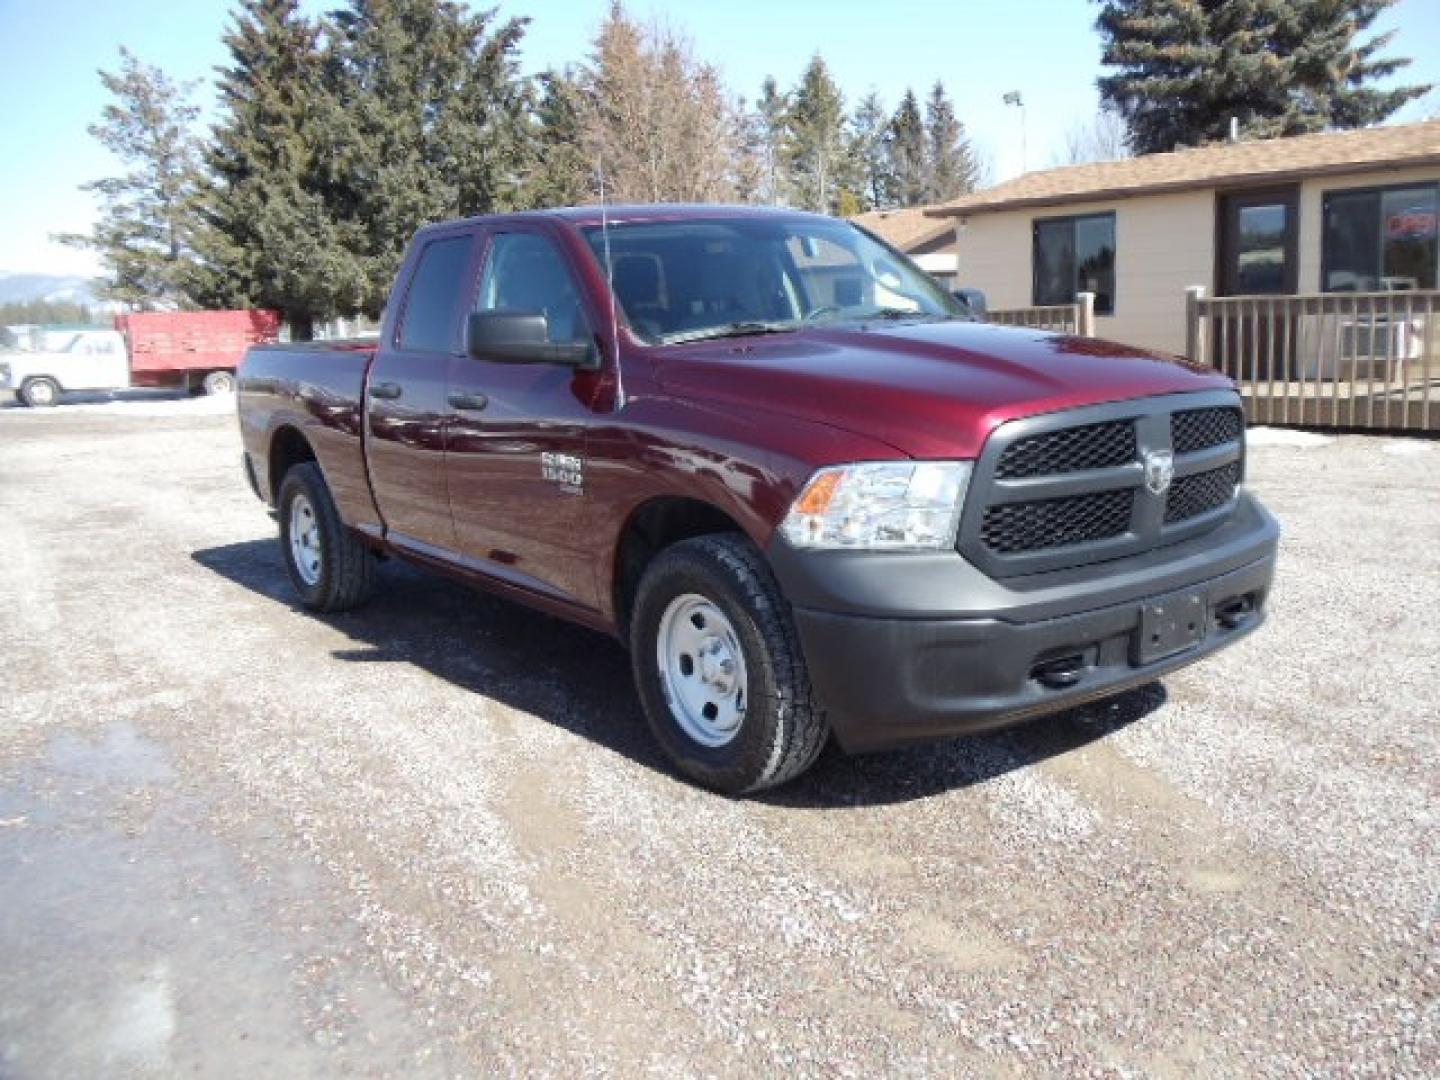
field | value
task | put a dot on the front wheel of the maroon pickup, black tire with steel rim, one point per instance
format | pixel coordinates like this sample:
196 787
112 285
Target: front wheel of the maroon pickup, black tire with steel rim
719 667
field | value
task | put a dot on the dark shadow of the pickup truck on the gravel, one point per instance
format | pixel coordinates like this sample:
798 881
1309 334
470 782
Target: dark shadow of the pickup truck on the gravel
581 680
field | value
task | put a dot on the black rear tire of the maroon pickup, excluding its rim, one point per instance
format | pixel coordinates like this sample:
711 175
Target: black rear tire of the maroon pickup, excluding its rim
345 575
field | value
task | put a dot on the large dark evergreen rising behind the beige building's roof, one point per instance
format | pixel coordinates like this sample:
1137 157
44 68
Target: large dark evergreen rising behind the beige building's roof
1184 68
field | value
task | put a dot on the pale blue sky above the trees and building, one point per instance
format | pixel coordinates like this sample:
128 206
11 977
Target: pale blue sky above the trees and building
980 48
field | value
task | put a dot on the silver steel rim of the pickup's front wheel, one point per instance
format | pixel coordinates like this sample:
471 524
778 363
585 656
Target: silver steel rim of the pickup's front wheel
702 670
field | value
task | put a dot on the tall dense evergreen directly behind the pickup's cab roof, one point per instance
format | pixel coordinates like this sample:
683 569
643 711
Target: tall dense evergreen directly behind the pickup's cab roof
430 122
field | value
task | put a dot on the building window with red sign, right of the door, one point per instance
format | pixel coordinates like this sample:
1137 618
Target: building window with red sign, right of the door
1380 240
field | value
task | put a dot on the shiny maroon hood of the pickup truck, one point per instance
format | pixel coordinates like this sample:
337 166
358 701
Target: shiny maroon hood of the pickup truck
928 390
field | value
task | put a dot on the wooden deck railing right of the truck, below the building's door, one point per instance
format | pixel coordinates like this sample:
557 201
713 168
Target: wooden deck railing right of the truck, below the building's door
1327 361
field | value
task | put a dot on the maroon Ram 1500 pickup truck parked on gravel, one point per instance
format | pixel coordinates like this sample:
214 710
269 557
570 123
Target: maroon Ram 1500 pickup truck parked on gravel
781 464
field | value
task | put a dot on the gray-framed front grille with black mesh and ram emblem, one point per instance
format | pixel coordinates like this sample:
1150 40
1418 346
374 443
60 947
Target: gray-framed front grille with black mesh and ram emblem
1089 485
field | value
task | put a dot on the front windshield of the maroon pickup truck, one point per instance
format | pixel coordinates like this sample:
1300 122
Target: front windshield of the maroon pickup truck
731 277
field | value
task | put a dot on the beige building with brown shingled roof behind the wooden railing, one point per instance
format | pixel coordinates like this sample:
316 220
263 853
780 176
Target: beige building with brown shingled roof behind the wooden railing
1344 212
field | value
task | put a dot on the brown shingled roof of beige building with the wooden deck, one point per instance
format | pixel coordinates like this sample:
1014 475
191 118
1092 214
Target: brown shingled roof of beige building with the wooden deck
1226 165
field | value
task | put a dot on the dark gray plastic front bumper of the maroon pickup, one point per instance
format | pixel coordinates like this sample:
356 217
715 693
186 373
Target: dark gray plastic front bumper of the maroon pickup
906 649
